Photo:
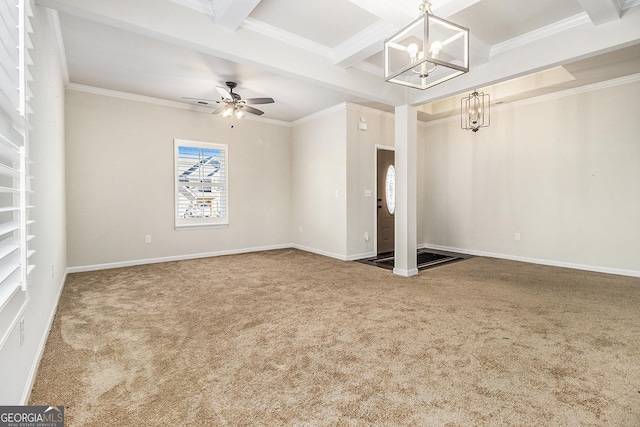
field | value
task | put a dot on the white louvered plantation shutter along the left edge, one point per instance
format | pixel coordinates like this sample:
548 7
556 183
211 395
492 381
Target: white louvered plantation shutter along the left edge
15 181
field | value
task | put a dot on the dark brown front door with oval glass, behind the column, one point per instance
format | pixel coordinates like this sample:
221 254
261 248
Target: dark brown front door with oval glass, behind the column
386 200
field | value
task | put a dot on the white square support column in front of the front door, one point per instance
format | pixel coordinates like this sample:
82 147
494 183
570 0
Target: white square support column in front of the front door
406 144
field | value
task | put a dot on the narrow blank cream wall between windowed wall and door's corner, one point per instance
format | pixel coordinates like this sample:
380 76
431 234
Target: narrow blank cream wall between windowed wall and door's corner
319 183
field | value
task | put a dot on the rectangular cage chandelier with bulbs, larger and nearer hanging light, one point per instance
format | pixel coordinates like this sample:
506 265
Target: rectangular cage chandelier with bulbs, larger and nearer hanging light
427 52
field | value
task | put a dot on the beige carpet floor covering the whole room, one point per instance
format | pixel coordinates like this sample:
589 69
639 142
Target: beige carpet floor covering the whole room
291 338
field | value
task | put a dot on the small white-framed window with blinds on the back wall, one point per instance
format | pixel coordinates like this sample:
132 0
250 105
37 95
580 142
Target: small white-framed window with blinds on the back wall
201 184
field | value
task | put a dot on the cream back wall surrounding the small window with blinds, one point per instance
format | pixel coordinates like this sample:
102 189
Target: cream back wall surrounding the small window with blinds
120 182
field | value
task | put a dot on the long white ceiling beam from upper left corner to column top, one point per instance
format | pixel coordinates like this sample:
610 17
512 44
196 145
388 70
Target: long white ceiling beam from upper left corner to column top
194 30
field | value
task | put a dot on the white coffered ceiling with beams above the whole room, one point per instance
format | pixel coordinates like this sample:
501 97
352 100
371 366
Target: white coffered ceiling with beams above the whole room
312 55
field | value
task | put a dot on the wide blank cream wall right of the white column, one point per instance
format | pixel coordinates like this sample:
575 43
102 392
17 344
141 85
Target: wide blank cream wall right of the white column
563 172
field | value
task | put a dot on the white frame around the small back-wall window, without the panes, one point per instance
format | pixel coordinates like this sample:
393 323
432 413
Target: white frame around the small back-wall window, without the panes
187 223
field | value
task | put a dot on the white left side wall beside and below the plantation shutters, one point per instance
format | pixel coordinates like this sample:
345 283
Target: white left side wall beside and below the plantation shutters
18 363
